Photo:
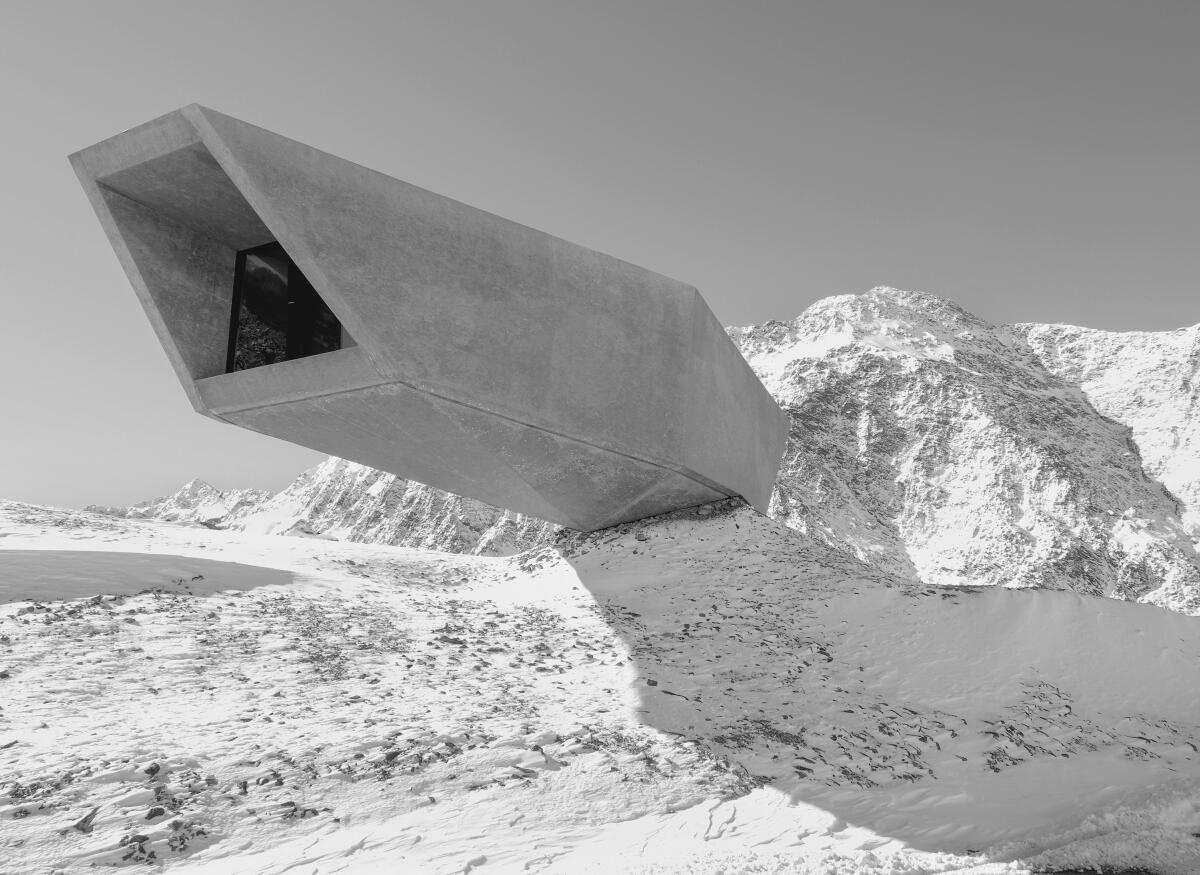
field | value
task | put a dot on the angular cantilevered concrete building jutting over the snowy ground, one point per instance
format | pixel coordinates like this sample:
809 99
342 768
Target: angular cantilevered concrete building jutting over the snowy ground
477 356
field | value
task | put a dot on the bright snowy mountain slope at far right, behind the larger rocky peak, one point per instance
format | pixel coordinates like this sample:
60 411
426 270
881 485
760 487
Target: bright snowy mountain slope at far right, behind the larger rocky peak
1149 381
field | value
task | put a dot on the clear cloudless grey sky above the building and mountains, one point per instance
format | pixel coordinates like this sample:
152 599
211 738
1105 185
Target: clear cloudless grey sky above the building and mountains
1033 161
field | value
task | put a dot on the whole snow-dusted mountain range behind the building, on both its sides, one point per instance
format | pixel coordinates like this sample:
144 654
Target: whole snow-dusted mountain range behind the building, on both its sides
926 442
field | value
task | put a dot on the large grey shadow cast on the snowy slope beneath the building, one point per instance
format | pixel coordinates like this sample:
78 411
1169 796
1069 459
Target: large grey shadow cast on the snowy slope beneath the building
950 720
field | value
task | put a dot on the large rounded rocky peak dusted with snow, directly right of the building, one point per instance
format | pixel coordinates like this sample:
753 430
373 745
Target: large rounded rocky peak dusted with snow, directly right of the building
933 445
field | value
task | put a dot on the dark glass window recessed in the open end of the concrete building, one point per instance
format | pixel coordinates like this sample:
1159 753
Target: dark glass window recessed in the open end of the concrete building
277 313
